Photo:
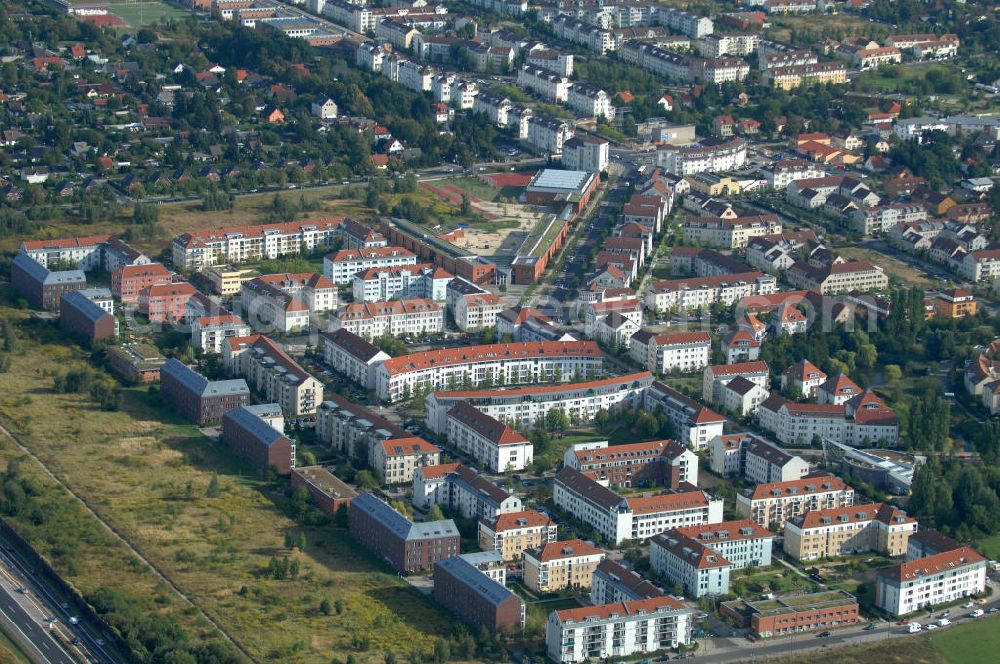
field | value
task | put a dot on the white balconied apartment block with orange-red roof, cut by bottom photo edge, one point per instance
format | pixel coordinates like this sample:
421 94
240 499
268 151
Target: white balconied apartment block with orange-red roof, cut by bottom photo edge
622 629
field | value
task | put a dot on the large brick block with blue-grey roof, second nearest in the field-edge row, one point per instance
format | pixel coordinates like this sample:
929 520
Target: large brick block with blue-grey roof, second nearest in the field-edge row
406 546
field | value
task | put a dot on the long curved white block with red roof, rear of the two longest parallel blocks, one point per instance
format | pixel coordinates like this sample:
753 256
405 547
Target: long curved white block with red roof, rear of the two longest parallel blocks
502 364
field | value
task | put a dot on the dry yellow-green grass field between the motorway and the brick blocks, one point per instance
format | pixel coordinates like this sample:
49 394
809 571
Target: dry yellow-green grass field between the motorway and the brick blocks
146 473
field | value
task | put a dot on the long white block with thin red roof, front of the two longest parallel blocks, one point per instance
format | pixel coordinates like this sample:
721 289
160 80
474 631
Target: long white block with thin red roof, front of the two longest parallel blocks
522 407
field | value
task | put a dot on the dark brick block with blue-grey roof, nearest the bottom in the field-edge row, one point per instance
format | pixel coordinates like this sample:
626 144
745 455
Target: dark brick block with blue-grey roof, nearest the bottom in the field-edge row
478 600
